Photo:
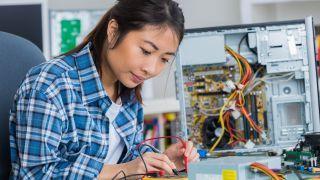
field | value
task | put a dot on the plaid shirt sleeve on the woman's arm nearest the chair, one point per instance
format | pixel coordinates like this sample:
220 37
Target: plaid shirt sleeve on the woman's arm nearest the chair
36 129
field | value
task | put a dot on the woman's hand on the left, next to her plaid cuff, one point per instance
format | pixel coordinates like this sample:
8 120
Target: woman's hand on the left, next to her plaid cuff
154 162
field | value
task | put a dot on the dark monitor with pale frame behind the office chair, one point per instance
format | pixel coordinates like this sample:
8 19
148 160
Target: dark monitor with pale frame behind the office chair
27 19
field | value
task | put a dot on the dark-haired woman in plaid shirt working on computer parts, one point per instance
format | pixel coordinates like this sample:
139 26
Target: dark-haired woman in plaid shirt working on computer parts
80 115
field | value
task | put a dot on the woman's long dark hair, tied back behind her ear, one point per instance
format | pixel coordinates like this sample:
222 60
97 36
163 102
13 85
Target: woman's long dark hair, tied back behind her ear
133 15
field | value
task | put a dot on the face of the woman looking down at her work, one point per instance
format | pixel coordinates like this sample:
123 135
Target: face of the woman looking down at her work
142 55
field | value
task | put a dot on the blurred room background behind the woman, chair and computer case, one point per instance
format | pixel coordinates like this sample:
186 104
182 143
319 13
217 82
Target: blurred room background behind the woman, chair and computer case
57 26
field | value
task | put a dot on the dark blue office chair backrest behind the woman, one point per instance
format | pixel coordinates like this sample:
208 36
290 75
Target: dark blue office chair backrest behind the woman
17 56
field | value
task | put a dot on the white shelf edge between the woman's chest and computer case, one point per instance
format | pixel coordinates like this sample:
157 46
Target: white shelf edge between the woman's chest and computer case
158 106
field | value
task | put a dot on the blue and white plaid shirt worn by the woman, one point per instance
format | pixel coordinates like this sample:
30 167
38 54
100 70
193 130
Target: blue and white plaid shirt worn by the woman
58 127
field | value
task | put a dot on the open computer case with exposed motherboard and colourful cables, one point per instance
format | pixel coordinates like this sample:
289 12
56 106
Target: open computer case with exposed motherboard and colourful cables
248 87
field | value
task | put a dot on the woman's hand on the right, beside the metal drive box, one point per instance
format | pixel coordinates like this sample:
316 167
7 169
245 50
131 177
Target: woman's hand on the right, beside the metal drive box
176 153
